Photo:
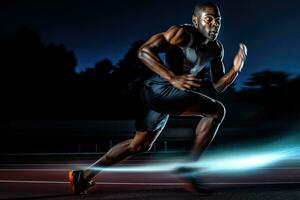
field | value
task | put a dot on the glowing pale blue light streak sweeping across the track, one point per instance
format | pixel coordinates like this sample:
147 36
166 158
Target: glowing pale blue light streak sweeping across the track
219 163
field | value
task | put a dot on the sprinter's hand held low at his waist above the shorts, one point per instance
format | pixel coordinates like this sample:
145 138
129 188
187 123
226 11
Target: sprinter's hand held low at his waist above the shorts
185 82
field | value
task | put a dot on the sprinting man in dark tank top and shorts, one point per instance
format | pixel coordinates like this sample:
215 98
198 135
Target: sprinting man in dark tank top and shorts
172 91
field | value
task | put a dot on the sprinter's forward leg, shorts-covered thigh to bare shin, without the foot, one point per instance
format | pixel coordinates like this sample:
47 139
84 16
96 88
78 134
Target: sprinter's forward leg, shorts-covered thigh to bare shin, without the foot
192 103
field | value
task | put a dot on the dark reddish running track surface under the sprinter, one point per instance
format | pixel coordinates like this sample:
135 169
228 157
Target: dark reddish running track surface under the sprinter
47 179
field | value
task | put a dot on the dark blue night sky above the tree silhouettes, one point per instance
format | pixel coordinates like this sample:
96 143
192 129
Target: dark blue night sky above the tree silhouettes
106 29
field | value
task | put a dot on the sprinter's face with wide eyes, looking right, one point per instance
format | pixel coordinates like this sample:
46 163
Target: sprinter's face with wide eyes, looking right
208 22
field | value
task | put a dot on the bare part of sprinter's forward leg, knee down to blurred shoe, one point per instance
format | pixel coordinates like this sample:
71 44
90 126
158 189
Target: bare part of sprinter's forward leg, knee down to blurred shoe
212 113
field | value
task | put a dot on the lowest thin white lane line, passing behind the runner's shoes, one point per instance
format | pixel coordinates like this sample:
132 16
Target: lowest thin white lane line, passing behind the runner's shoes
157 184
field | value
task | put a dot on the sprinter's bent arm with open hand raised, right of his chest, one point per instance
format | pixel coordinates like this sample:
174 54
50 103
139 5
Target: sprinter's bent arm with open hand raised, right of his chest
222 80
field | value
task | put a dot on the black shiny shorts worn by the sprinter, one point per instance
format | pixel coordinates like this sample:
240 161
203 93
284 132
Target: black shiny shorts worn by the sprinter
161 100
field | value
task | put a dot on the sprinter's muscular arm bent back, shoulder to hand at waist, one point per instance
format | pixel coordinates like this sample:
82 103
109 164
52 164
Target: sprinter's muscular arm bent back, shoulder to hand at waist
148 53
